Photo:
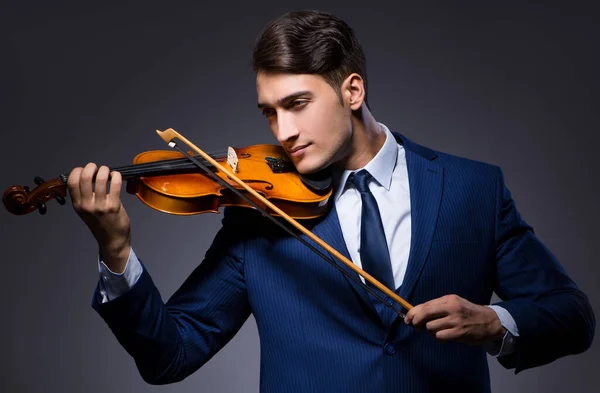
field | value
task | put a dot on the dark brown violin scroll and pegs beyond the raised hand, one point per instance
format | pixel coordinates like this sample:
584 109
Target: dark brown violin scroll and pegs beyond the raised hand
21 200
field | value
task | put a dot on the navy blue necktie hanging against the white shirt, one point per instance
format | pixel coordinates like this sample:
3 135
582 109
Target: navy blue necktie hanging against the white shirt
374 253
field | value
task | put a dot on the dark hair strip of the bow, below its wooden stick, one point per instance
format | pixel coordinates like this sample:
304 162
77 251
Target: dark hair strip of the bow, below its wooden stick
289 230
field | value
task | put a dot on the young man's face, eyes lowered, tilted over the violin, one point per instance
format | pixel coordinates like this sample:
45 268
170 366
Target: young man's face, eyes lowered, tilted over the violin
306 116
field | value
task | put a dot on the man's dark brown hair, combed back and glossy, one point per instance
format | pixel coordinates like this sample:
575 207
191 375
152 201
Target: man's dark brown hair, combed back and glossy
310 42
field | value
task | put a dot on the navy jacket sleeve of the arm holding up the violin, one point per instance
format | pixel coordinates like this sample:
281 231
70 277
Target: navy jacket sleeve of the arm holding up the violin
170 341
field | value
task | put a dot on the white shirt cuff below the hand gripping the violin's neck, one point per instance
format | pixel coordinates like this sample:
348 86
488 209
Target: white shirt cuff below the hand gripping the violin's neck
112 285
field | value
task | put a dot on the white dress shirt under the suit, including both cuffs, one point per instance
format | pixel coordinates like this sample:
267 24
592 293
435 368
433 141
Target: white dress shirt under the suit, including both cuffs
390 187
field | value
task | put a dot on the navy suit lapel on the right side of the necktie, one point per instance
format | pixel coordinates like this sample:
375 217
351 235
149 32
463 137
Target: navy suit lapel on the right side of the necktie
425 177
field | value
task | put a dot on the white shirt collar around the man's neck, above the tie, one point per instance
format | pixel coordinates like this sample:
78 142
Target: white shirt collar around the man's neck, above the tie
380 167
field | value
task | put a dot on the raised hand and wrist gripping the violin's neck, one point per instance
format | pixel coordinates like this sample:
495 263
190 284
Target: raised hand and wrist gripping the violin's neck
102 212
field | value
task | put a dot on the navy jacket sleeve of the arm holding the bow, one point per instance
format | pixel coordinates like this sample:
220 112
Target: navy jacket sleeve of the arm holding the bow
553 315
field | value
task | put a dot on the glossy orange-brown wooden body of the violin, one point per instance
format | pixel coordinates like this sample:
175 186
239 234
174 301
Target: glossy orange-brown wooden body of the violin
194 193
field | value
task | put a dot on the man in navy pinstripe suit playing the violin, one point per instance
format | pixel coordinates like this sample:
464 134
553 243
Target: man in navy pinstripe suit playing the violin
441 231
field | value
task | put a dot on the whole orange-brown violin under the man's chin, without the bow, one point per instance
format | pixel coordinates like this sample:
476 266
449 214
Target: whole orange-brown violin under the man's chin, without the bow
168 182
